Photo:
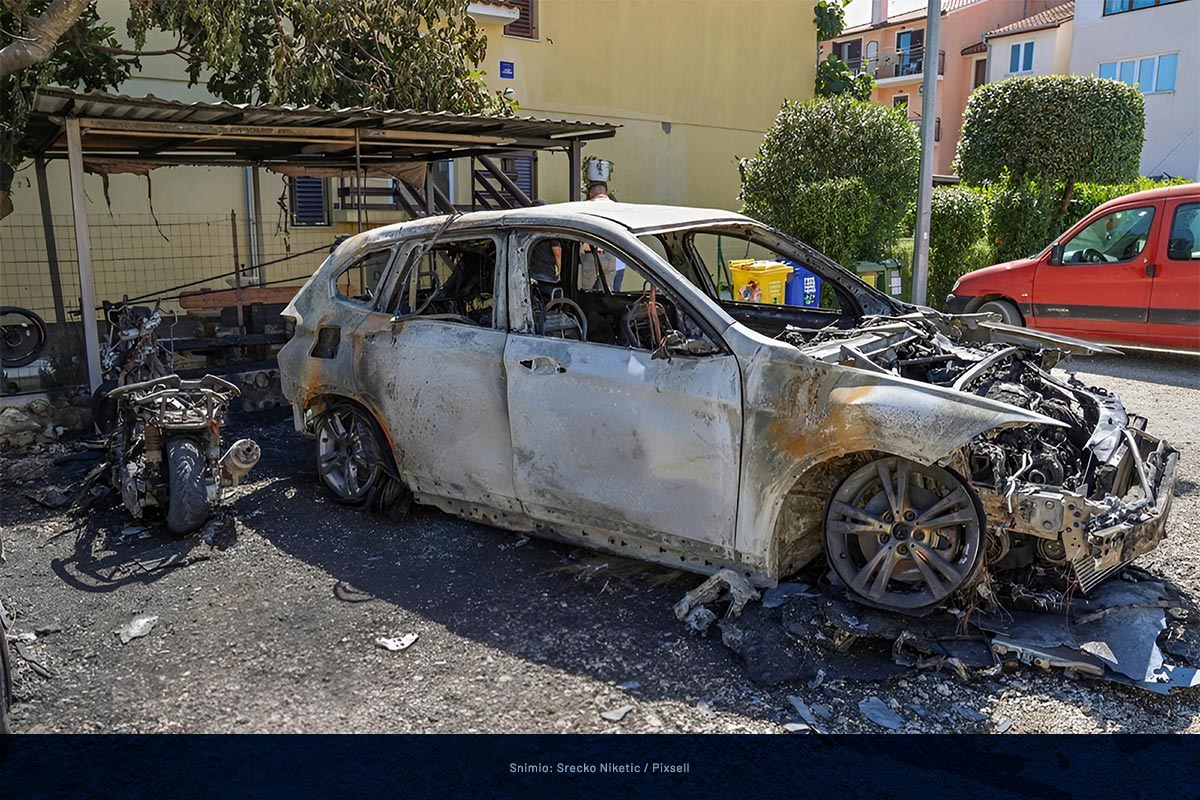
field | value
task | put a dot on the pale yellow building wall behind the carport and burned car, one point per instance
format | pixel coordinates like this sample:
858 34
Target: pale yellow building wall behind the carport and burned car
694 86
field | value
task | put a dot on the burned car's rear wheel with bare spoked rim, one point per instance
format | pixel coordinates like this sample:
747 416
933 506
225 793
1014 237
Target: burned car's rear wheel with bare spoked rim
350 458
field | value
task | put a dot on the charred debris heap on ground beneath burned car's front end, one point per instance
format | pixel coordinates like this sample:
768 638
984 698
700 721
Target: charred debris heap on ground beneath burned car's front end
1133 630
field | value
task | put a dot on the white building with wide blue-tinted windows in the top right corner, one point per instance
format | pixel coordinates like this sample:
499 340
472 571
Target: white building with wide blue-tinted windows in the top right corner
1154 45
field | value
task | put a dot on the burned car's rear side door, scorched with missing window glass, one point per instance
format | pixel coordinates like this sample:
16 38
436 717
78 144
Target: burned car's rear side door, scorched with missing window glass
437 381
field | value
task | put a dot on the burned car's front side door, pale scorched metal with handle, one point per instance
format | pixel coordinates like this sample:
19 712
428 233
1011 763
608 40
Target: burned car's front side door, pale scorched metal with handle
610 440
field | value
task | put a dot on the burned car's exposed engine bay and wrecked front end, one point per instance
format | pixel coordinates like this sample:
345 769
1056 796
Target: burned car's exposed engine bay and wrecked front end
1072 500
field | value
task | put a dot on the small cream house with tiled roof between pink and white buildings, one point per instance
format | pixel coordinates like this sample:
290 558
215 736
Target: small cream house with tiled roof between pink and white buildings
1036 46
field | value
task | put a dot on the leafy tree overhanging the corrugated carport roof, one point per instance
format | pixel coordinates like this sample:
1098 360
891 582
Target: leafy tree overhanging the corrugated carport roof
419 55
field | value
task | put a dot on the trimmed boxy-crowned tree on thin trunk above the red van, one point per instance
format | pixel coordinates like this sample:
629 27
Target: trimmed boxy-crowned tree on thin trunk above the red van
1053 130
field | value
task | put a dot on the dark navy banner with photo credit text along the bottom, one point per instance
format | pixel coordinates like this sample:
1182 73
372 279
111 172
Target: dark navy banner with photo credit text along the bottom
1042 768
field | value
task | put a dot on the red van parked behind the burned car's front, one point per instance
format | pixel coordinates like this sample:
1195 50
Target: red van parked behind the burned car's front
1129 273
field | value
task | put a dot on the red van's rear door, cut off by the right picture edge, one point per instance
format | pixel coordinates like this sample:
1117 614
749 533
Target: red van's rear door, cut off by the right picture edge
1175 297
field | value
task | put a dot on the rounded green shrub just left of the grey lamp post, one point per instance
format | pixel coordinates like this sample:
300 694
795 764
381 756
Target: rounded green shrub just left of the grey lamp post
826 142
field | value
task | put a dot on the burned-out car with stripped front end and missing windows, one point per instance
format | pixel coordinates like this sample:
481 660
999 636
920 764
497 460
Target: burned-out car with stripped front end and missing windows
581 372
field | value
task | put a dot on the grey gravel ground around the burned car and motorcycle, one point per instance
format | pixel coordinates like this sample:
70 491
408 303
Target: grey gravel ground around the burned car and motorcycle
273 625
